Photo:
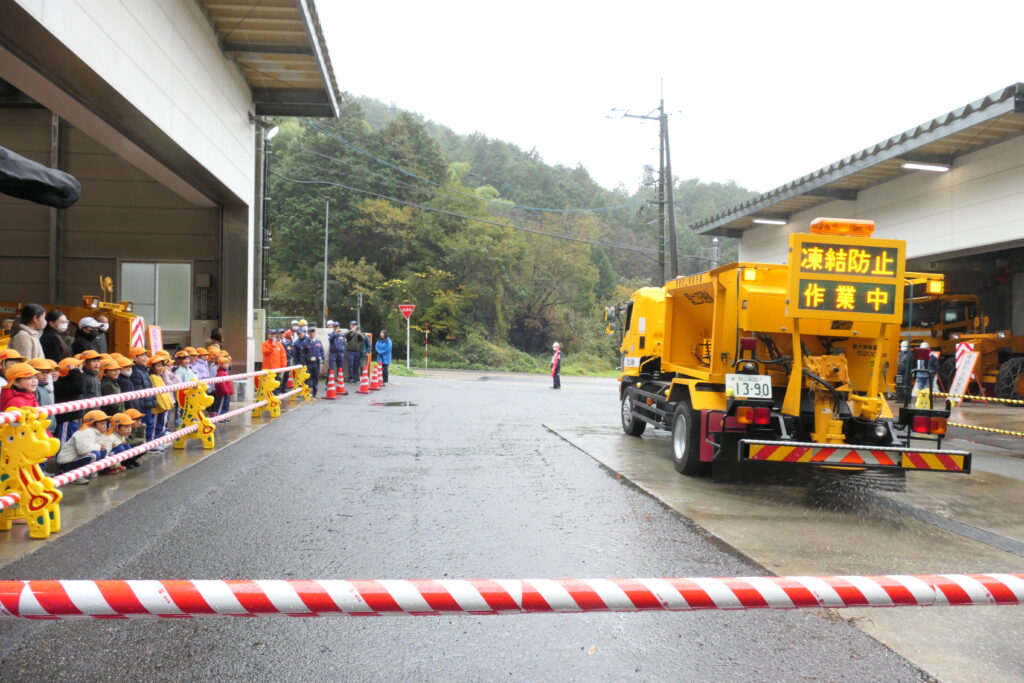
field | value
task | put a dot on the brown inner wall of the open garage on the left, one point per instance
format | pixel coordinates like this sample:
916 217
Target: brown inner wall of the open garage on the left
123 215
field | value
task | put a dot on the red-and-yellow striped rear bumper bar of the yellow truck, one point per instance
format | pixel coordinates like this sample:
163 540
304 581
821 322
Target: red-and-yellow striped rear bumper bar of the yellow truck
872 457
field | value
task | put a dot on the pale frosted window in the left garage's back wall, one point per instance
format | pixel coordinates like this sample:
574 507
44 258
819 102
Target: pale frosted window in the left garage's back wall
161 292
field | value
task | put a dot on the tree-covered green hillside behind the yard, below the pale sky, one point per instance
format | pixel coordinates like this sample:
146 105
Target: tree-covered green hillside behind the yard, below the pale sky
501 252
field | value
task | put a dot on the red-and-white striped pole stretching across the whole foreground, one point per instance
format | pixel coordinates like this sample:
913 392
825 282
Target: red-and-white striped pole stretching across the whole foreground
136 600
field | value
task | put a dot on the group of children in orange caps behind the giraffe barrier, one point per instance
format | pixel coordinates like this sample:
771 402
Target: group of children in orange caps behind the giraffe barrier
87 437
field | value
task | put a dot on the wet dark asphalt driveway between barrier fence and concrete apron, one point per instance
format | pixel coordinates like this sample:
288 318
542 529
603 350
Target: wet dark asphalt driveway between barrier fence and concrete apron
466 484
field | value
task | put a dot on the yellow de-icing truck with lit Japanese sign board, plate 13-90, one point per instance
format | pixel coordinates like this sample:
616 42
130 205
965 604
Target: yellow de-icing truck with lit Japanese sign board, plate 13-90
759 368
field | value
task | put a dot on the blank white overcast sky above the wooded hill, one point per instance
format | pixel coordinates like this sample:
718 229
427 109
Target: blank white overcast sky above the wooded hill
760 93
